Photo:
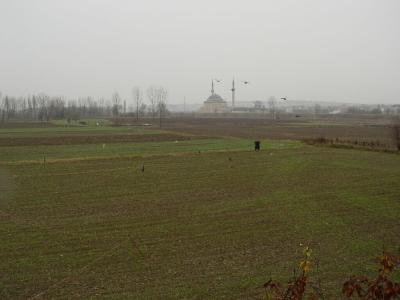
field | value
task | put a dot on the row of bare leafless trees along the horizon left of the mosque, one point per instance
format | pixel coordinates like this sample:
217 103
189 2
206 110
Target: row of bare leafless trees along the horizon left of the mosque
42 107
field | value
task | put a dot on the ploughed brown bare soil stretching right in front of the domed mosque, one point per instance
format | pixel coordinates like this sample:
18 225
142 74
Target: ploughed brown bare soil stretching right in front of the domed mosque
361 129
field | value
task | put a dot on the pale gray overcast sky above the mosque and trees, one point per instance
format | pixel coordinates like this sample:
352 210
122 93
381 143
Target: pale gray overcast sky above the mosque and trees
338 50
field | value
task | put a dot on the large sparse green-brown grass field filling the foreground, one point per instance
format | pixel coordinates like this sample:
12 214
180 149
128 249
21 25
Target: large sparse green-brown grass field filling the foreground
214 224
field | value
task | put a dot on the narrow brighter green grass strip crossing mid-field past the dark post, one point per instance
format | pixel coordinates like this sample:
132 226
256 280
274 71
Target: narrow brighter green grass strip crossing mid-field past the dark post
103 150
